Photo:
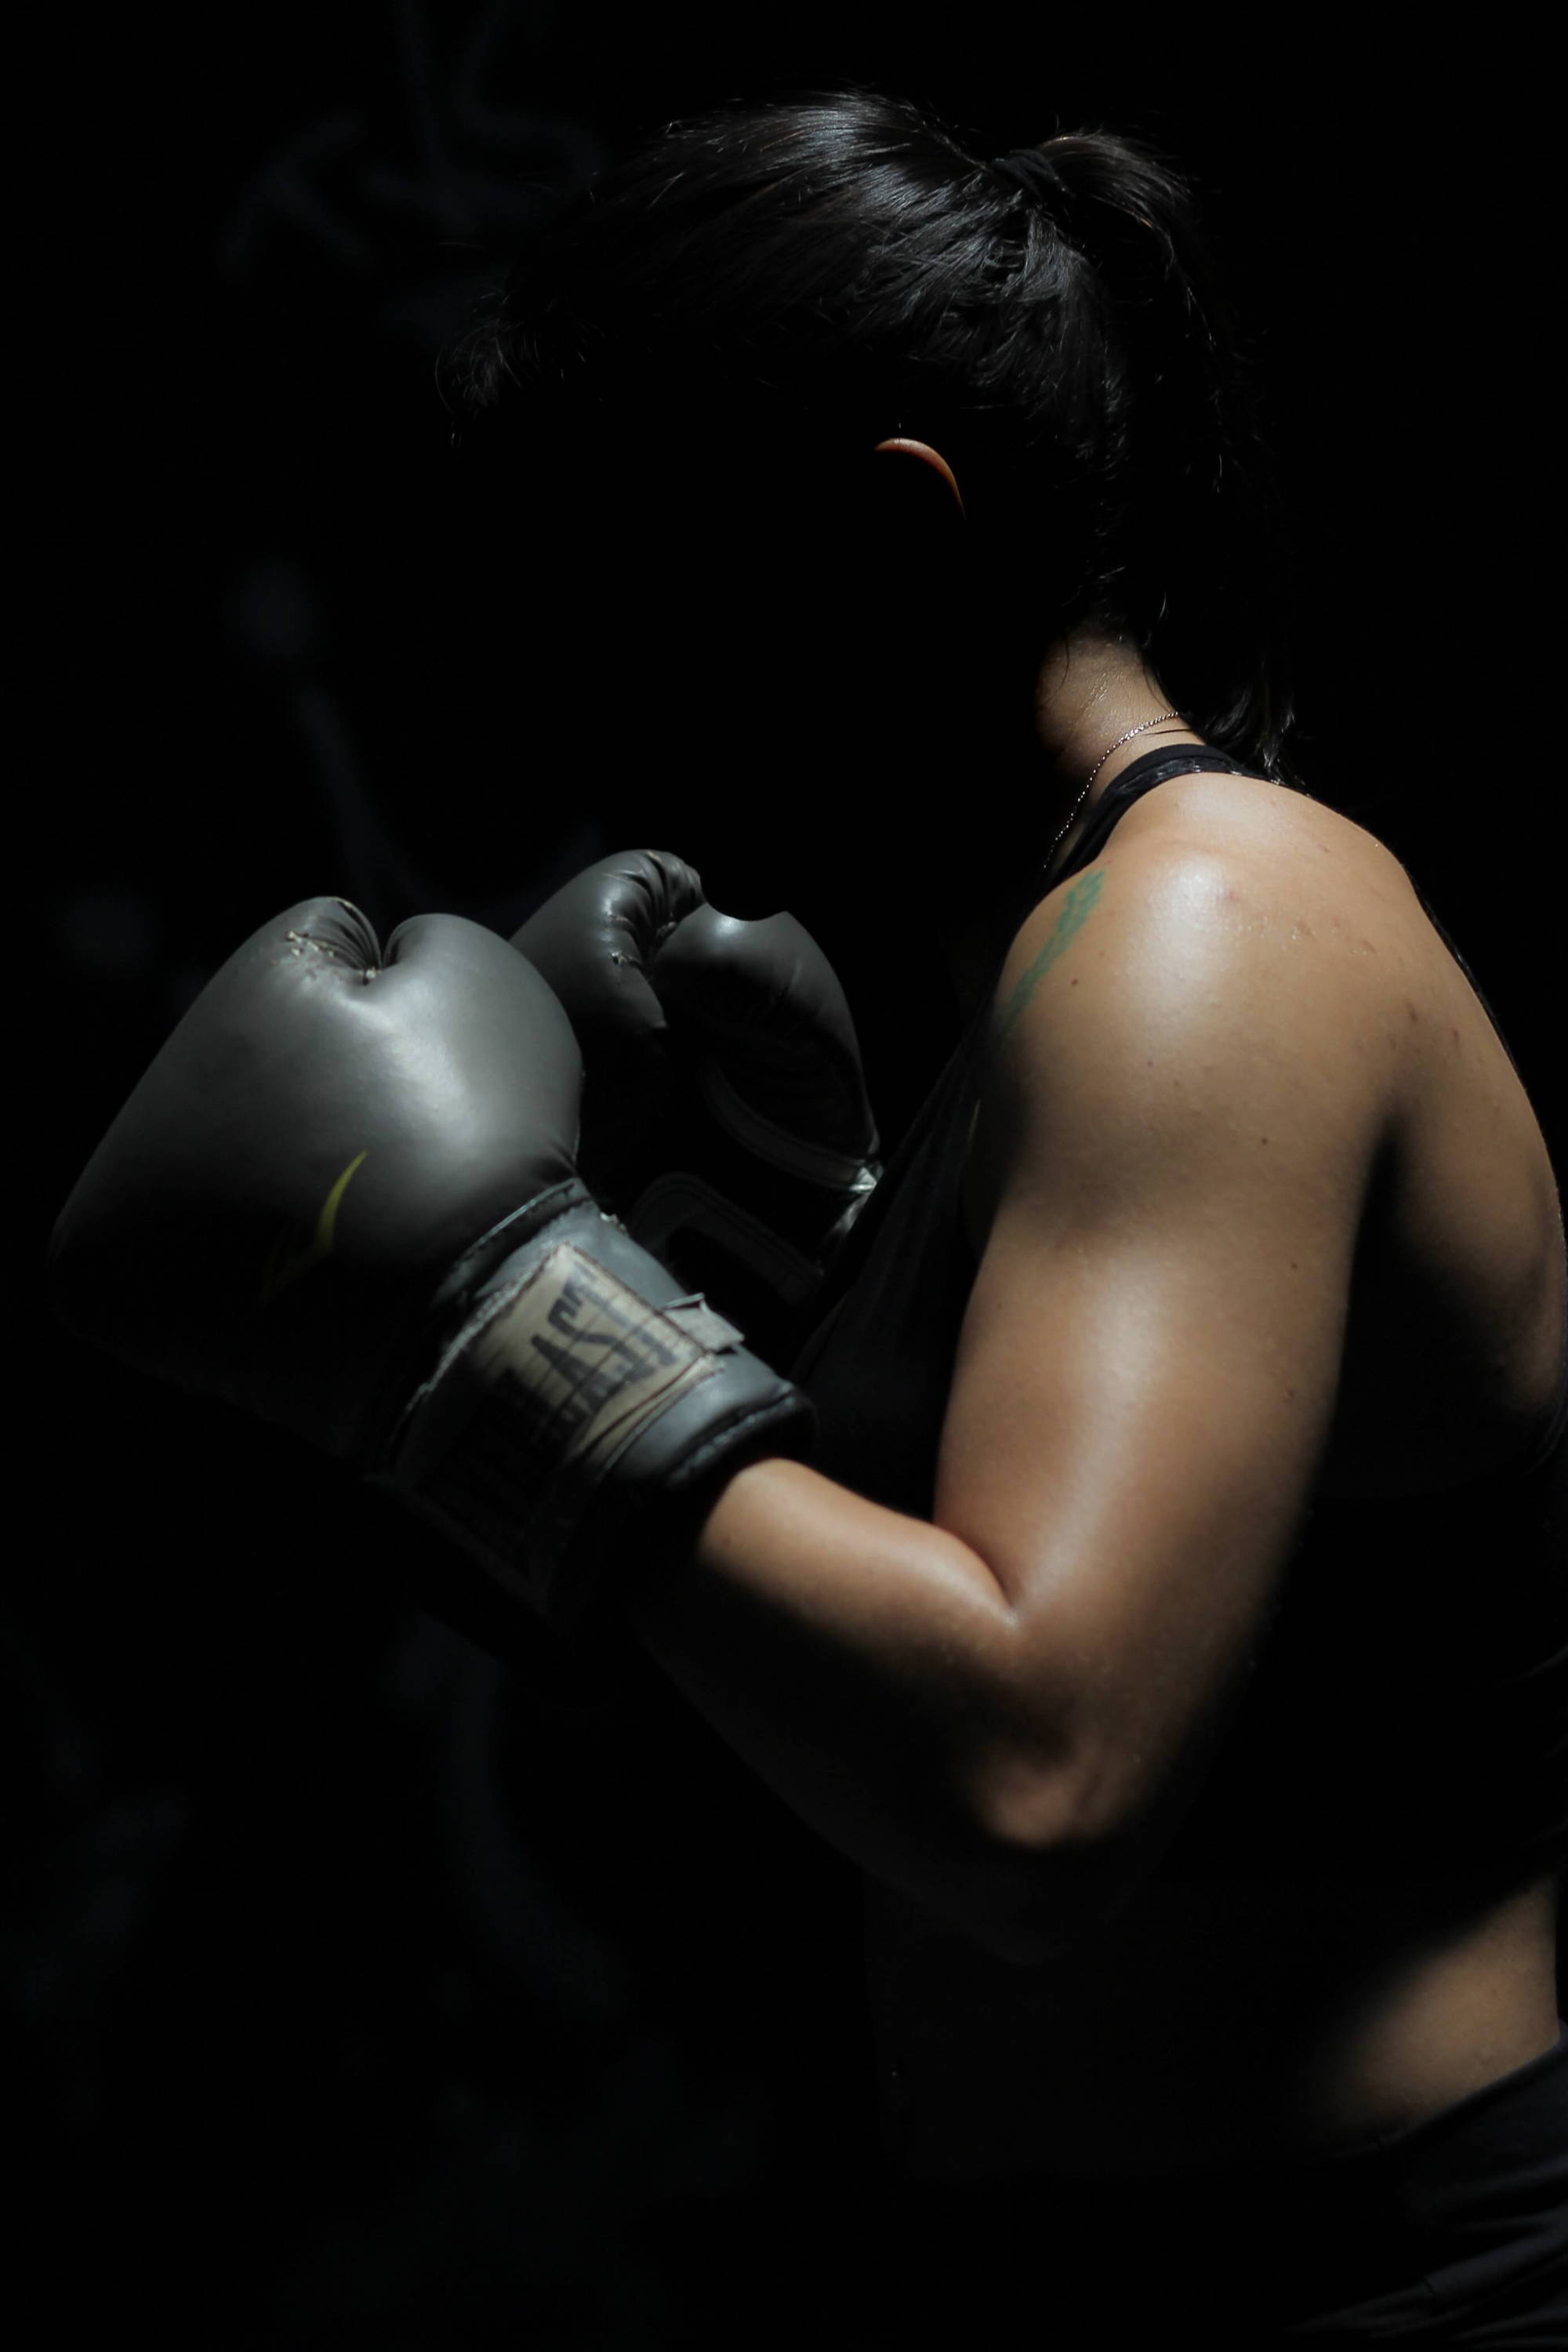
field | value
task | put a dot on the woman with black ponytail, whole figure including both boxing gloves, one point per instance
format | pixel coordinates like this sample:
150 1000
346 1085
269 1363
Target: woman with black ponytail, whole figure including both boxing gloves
1172 1612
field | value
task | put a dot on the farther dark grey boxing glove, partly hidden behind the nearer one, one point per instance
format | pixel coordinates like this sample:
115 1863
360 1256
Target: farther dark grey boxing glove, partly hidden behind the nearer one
725 1109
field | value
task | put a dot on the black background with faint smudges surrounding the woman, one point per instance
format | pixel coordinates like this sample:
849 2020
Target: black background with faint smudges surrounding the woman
351 1998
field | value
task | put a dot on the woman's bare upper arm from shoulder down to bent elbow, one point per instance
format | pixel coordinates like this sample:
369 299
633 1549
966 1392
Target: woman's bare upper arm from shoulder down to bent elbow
1181 1118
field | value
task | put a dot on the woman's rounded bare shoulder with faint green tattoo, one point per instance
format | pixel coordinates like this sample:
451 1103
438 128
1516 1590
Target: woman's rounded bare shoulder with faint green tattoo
1231 954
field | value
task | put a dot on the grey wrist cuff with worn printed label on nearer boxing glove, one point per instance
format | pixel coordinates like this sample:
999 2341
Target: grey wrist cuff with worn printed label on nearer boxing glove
582 1410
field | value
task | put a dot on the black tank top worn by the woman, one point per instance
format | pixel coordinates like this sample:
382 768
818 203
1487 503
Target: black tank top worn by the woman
1407 1706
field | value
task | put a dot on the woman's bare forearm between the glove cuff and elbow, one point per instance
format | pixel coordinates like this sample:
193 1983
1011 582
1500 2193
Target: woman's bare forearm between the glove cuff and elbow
864 1664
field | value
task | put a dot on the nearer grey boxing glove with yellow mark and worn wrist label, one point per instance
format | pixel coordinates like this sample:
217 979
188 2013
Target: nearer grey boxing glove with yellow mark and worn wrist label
347 1201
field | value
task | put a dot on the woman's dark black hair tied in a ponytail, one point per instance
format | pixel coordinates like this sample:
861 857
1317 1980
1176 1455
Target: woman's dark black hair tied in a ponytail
833 262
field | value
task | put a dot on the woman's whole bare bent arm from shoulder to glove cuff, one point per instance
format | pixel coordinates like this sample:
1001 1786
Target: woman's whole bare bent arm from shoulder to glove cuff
1010 1711
